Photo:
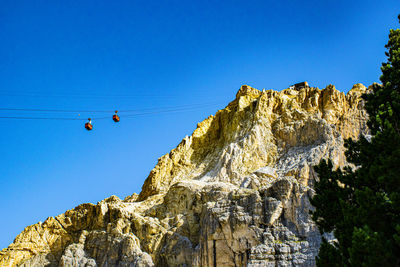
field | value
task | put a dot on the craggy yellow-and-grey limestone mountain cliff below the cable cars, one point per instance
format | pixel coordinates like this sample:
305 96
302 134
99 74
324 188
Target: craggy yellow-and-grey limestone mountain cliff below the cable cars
235 193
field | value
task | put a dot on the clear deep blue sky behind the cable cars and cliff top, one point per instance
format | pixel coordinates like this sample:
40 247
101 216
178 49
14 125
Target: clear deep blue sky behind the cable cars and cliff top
147 54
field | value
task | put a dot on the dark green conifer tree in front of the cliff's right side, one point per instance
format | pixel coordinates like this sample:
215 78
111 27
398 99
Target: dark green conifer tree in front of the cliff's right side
361 205
